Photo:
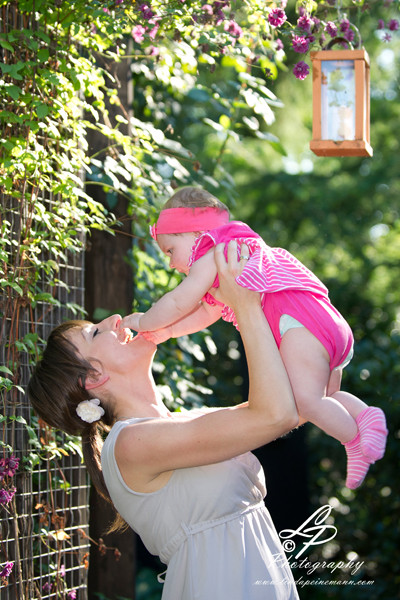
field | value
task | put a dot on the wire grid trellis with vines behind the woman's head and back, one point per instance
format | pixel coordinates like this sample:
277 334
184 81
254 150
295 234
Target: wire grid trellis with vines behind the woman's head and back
44 528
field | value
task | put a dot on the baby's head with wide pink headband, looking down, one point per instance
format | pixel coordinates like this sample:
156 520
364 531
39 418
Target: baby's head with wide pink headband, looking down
187 214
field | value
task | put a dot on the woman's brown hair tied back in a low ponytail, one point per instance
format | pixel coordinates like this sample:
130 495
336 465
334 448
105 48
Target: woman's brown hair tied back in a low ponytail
56 387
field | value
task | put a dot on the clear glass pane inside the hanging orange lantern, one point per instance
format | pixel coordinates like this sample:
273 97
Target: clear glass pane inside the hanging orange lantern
338 95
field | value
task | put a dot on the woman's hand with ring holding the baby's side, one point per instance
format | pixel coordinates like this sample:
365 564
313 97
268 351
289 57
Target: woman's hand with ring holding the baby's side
229 291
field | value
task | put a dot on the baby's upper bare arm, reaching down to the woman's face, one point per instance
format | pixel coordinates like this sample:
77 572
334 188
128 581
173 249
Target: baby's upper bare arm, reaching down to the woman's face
181 301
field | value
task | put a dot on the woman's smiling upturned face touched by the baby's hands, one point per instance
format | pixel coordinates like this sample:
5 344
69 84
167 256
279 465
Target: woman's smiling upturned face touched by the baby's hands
117 350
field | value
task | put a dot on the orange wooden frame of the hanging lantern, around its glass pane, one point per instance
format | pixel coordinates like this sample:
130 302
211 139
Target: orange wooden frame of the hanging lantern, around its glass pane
359 144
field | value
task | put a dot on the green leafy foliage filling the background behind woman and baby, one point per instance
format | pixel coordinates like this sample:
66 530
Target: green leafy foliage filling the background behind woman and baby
200 116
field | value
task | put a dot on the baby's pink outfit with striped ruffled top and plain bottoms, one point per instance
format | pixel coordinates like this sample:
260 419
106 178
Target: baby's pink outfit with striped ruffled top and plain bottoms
286 287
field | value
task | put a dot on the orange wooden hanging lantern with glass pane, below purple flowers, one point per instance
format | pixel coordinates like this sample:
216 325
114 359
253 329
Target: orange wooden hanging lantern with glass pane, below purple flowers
340 103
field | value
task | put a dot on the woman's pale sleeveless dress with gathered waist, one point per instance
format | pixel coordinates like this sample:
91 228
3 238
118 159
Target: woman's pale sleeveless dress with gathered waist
210 526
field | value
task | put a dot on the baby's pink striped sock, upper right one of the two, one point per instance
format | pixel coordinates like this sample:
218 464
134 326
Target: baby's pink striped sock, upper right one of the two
373 432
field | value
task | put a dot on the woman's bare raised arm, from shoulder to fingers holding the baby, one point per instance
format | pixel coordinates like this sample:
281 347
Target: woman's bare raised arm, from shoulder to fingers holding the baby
161 445
